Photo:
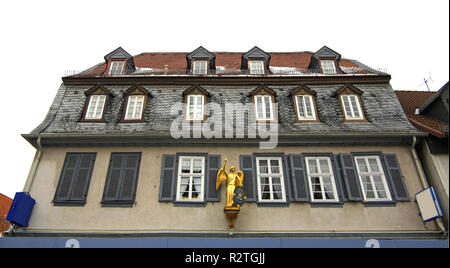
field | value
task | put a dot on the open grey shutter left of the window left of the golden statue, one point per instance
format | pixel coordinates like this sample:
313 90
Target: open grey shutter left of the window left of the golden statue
168 175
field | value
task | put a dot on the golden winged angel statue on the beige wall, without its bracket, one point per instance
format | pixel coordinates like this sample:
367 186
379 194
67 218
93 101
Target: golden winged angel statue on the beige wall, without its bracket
234 183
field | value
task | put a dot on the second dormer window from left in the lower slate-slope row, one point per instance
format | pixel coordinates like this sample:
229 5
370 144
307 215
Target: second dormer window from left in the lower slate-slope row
134 105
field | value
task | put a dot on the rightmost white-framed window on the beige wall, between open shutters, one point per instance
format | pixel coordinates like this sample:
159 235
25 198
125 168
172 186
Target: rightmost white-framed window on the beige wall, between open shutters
371 173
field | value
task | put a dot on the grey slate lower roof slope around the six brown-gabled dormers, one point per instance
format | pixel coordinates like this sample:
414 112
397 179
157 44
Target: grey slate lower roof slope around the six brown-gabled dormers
383 112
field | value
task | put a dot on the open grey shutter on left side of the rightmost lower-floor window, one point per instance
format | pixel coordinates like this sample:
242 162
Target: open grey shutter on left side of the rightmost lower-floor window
351 179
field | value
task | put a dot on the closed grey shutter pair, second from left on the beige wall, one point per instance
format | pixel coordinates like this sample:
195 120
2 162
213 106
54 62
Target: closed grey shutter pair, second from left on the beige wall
121 181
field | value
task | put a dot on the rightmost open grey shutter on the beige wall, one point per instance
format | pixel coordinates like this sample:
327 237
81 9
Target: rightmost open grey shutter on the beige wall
400 193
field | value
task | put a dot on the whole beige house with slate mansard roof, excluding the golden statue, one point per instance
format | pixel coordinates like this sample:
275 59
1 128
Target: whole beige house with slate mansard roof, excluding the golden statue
132 147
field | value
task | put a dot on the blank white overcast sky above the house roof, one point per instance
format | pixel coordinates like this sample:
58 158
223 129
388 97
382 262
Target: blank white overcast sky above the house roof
40 40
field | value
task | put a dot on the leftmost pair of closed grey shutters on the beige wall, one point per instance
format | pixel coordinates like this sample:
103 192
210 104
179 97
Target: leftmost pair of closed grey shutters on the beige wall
75 178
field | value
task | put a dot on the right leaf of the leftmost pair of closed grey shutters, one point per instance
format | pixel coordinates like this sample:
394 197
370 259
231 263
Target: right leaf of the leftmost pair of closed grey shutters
83 178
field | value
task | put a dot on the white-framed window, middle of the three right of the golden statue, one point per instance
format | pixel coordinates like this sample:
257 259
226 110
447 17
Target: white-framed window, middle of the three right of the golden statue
320 175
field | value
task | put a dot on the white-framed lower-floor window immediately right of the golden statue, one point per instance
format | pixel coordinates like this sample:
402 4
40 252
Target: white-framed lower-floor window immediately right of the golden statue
270 175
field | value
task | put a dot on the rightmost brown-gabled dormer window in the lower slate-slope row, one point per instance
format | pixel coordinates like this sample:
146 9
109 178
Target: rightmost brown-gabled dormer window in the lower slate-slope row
350 99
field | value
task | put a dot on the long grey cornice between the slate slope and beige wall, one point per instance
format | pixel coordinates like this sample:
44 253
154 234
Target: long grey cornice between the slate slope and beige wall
328 139
